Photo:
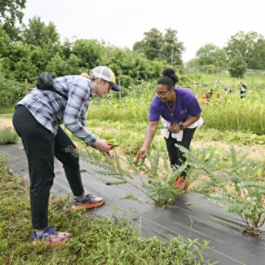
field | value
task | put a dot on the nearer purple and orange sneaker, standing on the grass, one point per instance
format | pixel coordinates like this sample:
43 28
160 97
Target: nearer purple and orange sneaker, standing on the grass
50 237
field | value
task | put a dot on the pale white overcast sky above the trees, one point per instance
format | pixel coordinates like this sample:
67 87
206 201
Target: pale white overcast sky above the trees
123 22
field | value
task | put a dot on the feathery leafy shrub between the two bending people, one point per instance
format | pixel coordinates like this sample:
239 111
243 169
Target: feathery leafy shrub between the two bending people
162 192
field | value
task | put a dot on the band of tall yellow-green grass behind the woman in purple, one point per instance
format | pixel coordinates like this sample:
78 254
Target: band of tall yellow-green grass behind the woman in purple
224 113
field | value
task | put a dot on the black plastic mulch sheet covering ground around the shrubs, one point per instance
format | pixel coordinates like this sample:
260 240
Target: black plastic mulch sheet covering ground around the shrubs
192 215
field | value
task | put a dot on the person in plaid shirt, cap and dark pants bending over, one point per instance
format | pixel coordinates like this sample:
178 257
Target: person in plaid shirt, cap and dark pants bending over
37 120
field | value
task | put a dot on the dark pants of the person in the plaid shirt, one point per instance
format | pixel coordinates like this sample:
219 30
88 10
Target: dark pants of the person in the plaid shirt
41 146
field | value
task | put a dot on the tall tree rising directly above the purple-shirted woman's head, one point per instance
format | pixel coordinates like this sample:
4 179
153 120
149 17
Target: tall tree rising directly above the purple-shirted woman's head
155 45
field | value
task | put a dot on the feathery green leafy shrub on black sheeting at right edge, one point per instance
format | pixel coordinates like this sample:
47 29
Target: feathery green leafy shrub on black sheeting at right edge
237 189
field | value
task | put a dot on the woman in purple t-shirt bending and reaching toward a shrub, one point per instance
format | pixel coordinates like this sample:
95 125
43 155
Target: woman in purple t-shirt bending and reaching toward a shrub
180 110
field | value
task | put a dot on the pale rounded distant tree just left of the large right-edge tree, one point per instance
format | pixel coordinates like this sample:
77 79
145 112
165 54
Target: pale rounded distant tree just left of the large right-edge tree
210 54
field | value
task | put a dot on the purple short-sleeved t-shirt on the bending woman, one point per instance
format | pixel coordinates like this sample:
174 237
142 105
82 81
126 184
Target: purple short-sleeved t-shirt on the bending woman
186 106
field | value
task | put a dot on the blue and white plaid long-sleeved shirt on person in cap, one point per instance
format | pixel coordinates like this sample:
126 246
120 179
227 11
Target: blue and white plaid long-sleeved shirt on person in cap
51 110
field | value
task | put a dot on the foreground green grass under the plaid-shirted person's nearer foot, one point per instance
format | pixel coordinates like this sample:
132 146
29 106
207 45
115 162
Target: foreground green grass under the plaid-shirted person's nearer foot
93 241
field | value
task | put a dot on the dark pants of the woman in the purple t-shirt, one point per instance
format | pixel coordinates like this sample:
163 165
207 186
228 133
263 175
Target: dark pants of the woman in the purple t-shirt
176 157
